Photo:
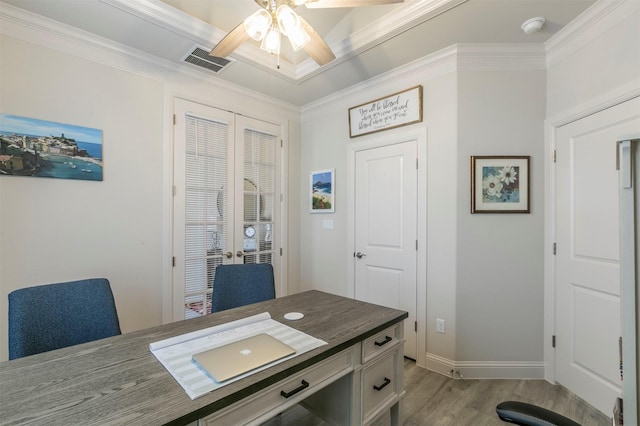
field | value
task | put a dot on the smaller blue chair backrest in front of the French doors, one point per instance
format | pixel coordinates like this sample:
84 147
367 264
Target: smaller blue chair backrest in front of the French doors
243 284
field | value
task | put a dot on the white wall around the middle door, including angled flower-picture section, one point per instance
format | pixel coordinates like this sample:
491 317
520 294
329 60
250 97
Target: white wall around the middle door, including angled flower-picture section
465 113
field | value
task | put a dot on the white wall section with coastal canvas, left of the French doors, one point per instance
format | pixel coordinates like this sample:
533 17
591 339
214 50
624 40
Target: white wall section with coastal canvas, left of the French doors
56 229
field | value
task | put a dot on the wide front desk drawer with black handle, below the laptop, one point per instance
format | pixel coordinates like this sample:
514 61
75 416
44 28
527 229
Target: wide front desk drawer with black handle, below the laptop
270 401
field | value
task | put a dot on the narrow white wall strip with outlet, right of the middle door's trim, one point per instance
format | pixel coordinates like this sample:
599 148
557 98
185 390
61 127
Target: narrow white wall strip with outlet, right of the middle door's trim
441 105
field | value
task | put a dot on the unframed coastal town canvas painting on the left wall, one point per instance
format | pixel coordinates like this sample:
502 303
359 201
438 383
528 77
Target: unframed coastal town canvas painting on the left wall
33 147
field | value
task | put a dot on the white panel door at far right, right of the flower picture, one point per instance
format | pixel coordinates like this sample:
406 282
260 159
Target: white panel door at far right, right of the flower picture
588 255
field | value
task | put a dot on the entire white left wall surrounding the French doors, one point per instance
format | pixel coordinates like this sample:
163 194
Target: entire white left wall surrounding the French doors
56 229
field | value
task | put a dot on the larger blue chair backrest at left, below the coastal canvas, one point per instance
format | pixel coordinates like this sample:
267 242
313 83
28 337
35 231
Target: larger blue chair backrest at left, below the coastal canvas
53 316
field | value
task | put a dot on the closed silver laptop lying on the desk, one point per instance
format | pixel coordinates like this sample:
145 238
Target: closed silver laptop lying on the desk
236 358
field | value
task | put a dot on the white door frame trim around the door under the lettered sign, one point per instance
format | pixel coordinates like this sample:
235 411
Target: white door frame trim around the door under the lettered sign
419 134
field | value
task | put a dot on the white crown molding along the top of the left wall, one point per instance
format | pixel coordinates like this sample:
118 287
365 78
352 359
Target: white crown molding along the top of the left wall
38 30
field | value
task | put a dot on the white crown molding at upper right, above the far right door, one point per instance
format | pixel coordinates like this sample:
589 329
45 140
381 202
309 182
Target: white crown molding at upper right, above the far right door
593 22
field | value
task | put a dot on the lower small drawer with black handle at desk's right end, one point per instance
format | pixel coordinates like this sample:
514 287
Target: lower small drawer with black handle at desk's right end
380 385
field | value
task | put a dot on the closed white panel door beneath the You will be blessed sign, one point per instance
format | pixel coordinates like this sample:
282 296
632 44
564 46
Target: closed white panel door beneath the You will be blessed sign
386 230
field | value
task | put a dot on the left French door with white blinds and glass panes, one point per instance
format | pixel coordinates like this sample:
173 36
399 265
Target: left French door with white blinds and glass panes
202 232
